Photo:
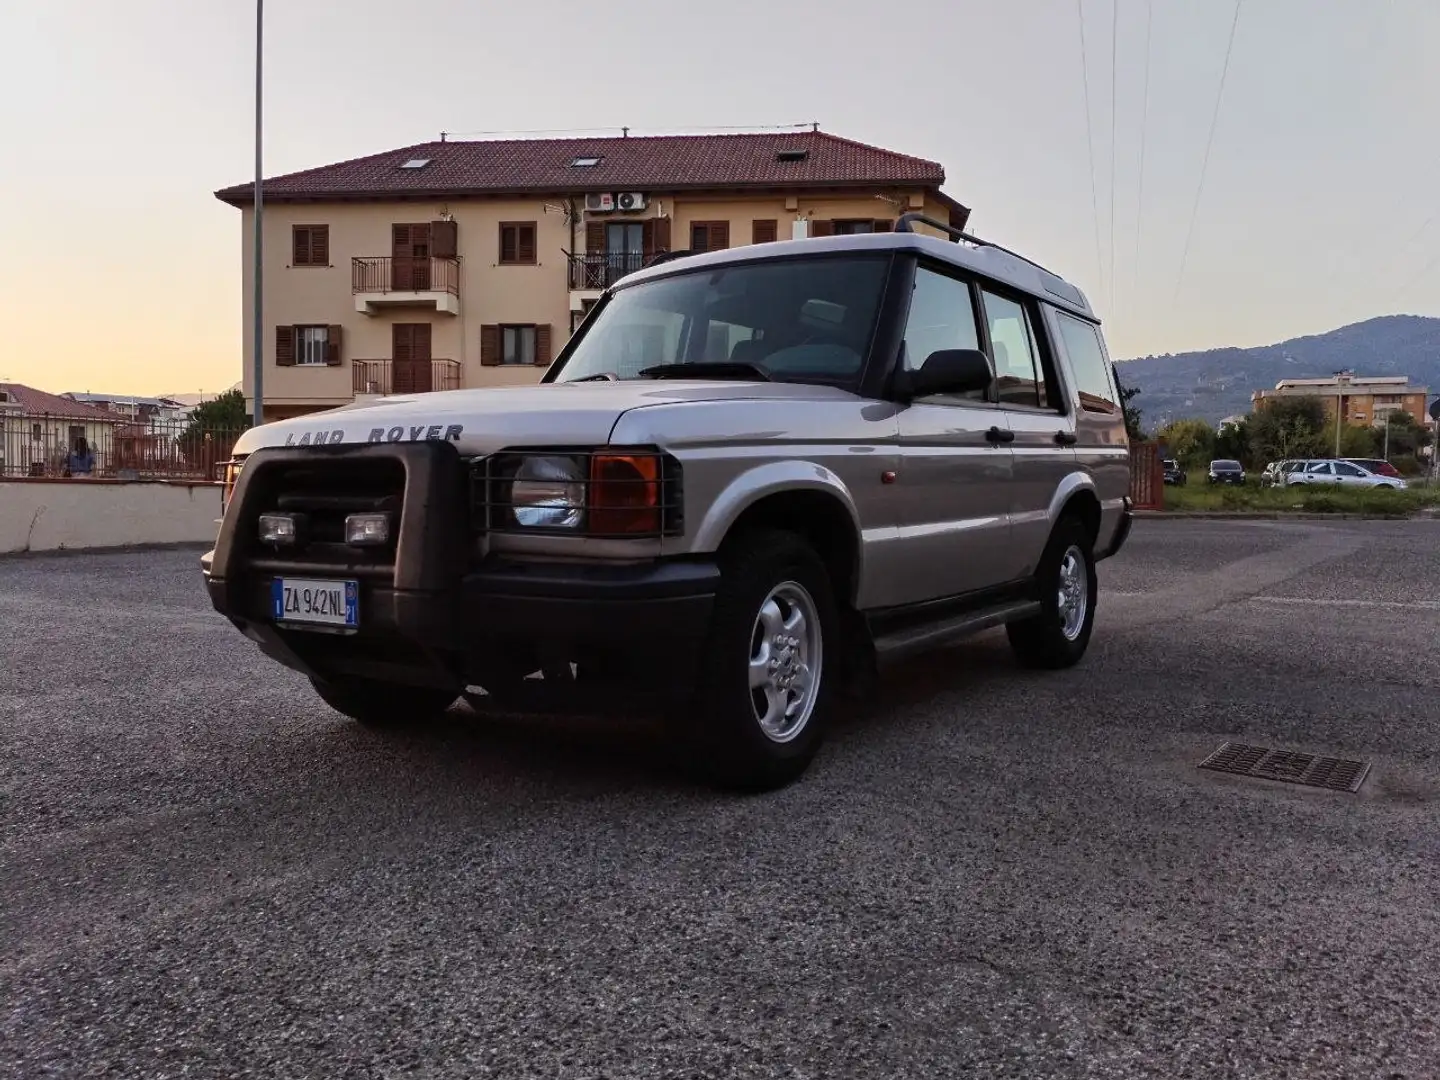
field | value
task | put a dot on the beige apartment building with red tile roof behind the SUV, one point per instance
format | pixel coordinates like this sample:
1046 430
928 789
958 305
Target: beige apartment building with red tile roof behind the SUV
464 264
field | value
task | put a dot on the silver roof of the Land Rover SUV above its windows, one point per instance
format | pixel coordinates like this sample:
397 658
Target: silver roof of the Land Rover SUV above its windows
977 257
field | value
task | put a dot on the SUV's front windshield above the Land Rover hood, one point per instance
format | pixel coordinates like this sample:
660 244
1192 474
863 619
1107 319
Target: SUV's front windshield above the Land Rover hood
796 320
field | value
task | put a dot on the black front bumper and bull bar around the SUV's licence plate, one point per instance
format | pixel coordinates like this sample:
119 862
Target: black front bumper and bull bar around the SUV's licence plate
438 614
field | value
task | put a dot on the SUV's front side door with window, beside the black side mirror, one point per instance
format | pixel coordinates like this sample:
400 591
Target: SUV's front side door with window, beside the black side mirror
955 462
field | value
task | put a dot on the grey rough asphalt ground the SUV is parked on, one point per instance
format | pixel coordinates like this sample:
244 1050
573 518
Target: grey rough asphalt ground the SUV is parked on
207 873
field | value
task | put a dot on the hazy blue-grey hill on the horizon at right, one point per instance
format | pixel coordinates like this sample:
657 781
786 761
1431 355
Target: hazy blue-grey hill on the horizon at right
1218 382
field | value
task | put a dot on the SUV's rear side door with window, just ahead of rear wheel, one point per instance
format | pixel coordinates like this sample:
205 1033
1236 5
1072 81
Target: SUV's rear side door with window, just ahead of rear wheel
1030 397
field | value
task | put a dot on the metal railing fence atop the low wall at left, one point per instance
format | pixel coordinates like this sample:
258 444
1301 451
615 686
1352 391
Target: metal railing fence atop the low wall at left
63 447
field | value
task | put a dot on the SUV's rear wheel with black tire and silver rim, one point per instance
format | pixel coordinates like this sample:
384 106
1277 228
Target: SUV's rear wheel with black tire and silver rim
1059 637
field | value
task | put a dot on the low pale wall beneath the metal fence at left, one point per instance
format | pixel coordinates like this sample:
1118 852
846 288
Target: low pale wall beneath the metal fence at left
66 515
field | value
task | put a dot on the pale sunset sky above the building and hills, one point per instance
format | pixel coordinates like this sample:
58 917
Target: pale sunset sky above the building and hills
120 271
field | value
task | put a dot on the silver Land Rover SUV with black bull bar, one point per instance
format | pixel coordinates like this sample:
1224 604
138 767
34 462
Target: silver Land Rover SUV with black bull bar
752 476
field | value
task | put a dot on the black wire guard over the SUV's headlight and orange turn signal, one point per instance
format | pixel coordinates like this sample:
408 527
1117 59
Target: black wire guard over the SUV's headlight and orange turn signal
603 496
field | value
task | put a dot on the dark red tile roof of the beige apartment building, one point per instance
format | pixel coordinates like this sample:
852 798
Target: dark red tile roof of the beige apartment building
652 163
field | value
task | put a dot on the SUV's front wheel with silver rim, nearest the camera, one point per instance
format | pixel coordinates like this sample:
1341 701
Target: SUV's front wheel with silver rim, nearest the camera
735 732
